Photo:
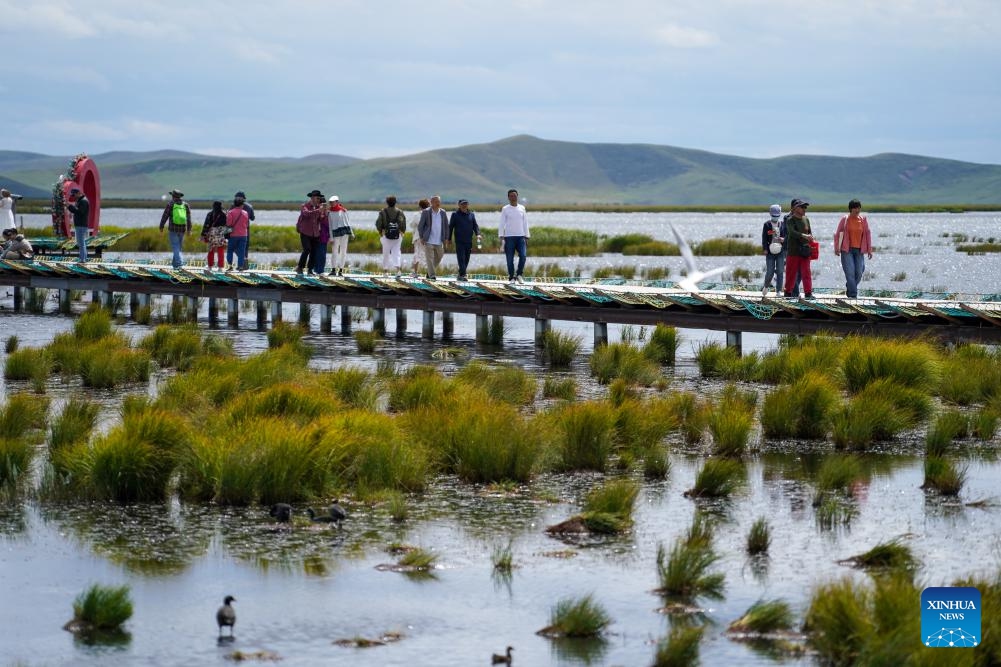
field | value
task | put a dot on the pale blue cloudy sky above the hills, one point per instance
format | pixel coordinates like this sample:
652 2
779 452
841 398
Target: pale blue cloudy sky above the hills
387 78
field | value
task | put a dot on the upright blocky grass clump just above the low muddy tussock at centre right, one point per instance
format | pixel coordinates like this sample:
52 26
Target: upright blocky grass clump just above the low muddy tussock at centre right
586 435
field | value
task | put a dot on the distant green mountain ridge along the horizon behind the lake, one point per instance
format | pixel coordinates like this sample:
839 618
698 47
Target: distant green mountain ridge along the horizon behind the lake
544 172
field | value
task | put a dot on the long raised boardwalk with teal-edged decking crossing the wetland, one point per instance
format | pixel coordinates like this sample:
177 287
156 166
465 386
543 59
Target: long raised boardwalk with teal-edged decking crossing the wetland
603 302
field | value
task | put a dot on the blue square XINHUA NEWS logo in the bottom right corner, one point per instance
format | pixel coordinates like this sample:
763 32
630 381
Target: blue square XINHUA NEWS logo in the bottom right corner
950 617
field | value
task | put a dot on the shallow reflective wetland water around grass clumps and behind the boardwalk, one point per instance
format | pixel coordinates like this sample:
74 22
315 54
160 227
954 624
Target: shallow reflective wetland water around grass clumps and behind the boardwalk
299 591
